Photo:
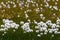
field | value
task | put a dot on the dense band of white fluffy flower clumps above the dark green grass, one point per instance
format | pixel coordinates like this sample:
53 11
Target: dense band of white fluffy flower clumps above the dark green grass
41 28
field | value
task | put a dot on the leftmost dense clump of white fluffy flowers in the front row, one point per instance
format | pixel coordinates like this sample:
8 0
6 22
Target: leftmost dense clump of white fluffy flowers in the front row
9 24
